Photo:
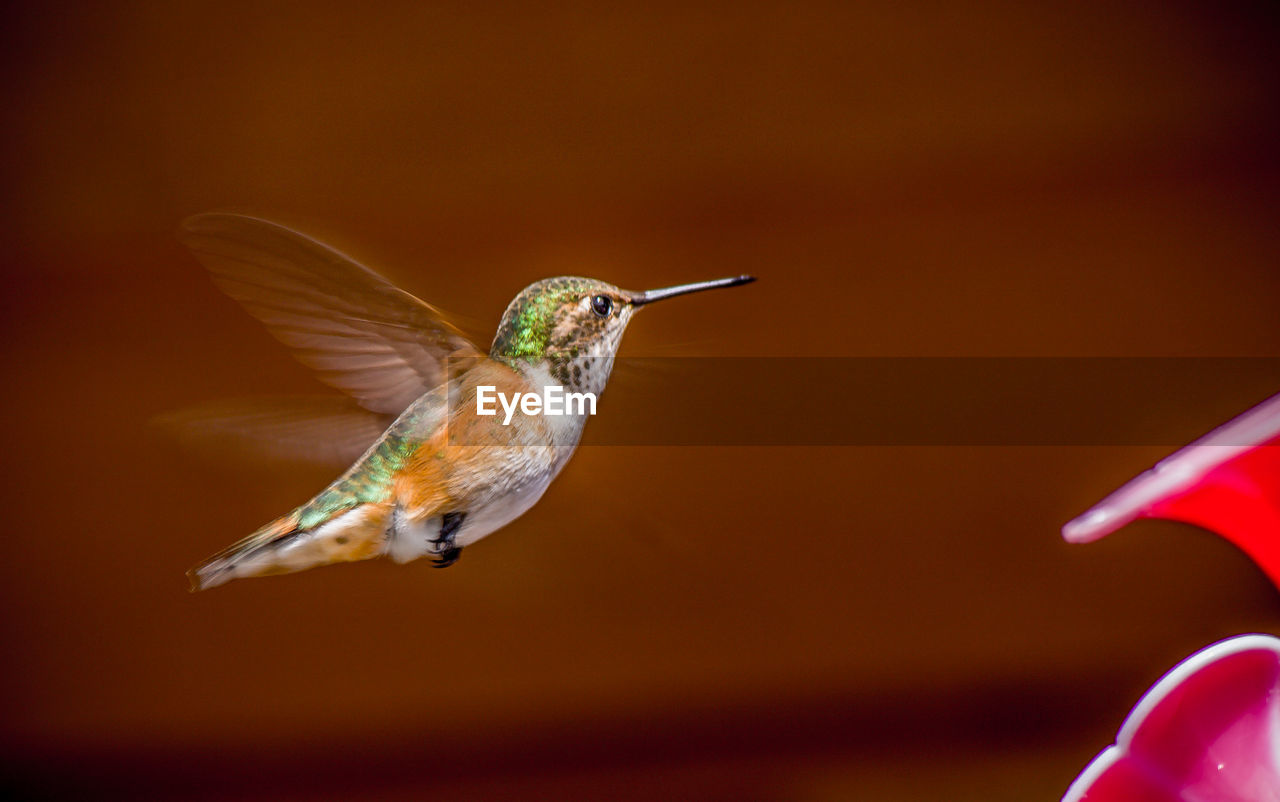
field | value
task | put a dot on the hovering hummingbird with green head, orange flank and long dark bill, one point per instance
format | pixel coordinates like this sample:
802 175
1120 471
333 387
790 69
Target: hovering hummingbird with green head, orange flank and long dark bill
442 474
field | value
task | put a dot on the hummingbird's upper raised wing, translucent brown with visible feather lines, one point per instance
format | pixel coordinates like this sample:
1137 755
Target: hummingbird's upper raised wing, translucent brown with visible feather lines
363 336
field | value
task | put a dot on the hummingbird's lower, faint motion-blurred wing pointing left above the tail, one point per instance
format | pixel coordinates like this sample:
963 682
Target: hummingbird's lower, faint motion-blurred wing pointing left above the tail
331 430
